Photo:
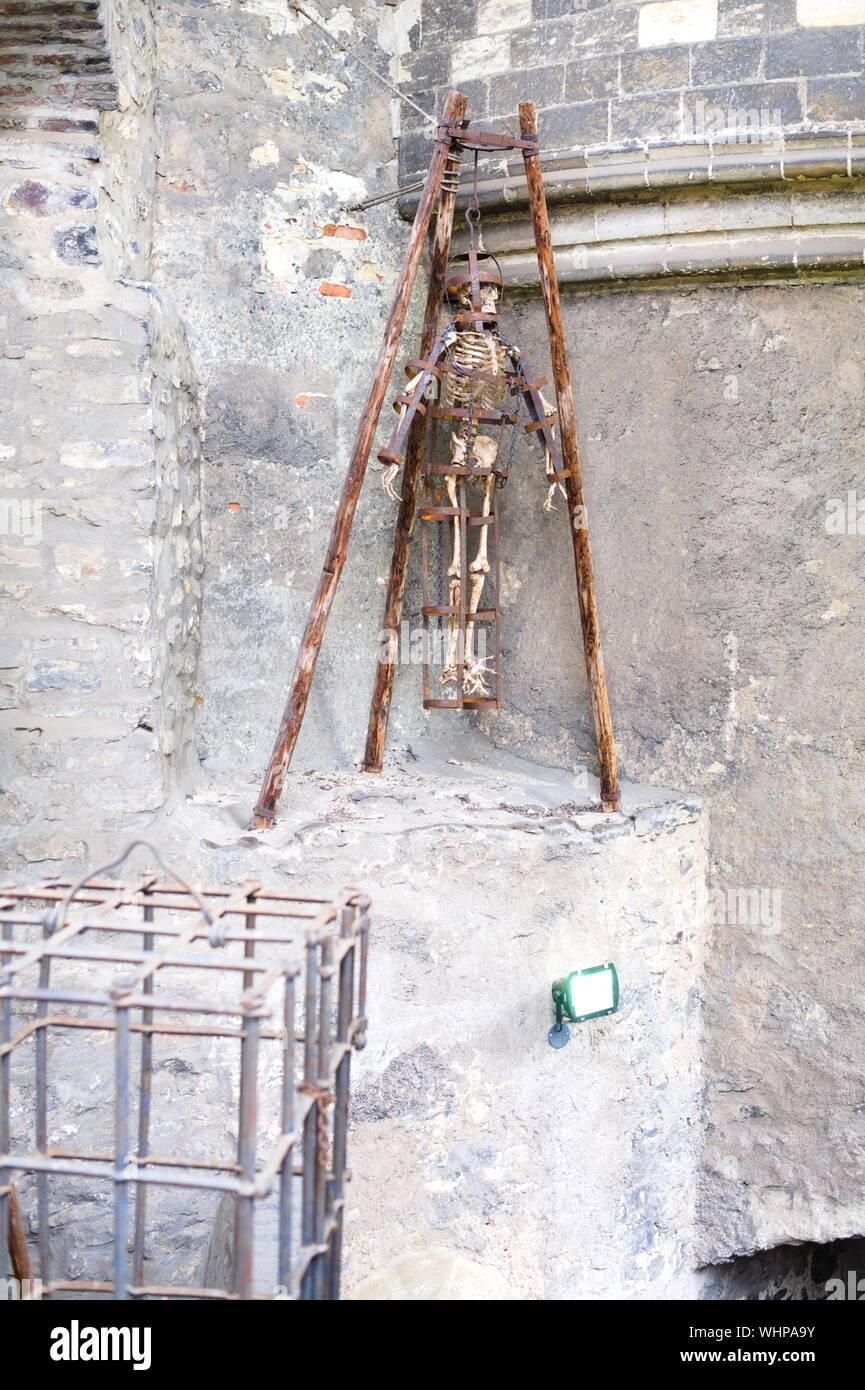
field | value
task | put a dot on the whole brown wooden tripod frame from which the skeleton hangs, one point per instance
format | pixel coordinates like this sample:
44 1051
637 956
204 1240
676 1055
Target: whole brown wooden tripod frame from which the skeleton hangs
454 136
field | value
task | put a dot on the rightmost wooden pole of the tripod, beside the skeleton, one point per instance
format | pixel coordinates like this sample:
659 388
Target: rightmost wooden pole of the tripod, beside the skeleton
579 529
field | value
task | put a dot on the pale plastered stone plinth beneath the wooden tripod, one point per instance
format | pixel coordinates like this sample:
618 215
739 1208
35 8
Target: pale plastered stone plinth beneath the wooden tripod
486 1164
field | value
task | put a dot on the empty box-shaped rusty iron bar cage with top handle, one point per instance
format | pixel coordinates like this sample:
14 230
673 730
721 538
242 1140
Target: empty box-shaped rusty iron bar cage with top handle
252 990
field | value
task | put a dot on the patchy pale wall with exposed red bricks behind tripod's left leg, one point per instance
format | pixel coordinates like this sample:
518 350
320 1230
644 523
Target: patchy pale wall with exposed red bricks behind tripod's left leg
268 137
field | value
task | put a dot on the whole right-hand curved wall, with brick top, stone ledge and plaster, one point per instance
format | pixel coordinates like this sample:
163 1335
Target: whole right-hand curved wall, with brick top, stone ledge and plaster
721 429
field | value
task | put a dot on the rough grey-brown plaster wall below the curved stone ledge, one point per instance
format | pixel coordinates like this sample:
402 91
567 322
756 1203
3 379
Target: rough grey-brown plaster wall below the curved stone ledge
722 448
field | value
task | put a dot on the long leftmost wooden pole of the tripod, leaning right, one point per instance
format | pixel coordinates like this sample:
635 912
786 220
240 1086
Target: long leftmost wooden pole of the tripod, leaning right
334 559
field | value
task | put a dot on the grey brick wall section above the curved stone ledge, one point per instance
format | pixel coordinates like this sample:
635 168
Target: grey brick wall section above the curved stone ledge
611 76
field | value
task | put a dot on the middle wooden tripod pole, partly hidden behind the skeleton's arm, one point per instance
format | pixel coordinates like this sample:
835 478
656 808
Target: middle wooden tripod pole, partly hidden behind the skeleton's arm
383 689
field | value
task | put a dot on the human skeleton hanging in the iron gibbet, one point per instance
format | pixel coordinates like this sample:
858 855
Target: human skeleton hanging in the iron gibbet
476 370
